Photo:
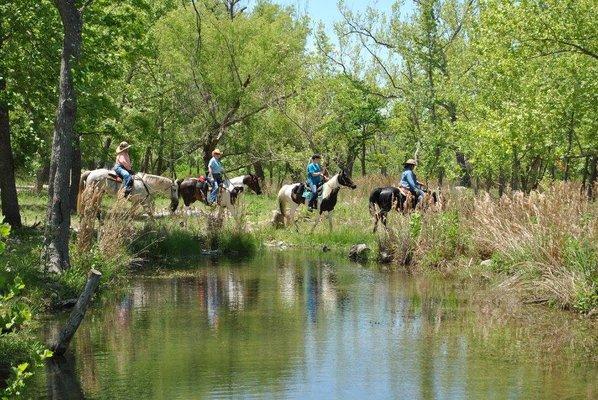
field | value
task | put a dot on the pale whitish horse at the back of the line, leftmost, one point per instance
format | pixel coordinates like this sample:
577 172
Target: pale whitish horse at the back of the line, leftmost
145 186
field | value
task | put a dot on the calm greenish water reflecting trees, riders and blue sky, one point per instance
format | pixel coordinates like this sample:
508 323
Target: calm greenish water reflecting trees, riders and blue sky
292 326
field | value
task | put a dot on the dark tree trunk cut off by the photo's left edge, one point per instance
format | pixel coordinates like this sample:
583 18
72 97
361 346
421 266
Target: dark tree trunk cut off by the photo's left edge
8 188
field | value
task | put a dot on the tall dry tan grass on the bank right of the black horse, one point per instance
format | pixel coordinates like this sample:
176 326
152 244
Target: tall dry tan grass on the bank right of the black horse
543 246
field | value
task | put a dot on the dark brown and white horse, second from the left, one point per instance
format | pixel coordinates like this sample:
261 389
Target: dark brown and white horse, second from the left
197 189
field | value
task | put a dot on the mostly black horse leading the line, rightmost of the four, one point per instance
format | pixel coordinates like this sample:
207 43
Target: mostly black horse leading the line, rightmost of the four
383 200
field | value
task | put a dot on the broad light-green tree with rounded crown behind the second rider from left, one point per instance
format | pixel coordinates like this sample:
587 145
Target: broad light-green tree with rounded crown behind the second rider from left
228 65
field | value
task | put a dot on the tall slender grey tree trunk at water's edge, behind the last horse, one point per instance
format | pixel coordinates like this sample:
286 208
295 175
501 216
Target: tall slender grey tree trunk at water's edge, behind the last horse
56 240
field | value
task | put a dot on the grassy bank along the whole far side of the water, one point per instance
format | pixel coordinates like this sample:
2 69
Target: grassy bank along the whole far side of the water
537 249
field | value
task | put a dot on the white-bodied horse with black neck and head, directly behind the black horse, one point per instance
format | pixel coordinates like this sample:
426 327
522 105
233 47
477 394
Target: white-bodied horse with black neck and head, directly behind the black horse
292 195
